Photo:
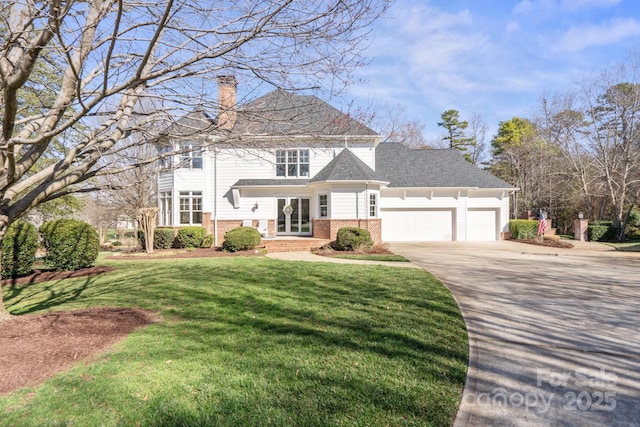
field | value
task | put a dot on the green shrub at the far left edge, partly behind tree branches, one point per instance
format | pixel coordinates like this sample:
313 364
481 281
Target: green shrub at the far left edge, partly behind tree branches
19 248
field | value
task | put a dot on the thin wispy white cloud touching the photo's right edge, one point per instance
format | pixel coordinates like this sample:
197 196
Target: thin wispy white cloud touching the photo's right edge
580 38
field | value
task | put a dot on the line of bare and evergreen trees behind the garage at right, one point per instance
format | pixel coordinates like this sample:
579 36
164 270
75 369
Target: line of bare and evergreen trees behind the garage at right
580 152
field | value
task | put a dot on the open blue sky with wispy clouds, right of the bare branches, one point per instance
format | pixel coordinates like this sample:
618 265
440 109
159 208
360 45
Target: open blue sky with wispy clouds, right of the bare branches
496 58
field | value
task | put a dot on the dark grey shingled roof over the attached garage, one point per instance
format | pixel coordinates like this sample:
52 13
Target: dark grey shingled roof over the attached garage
407 167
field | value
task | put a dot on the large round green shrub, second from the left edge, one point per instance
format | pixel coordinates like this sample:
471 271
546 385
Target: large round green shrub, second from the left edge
70 244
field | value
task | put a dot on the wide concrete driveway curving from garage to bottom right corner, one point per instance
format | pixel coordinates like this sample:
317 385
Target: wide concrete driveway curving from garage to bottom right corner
554 334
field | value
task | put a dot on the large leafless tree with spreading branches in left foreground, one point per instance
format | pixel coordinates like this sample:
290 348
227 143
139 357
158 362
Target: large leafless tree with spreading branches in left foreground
110 55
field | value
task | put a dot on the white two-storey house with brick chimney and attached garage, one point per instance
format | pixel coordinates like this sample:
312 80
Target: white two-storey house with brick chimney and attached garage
293 165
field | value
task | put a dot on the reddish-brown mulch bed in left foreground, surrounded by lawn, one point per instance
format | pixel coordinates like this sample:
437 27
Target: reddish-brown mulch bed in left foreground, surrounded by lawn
35 347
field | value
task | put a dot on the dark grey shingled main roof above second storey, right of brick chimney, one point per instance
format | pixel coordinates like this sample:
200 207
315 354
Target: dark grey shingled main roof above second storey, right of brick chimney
284 113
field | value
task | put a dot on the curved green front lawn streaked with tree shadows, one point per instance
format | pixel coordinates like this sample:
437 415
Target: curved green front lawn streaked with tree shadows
256 342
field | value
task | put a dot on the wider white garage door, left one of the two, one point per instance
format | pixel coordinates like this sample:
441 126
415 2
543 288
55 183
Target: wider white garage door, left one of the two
410 225
